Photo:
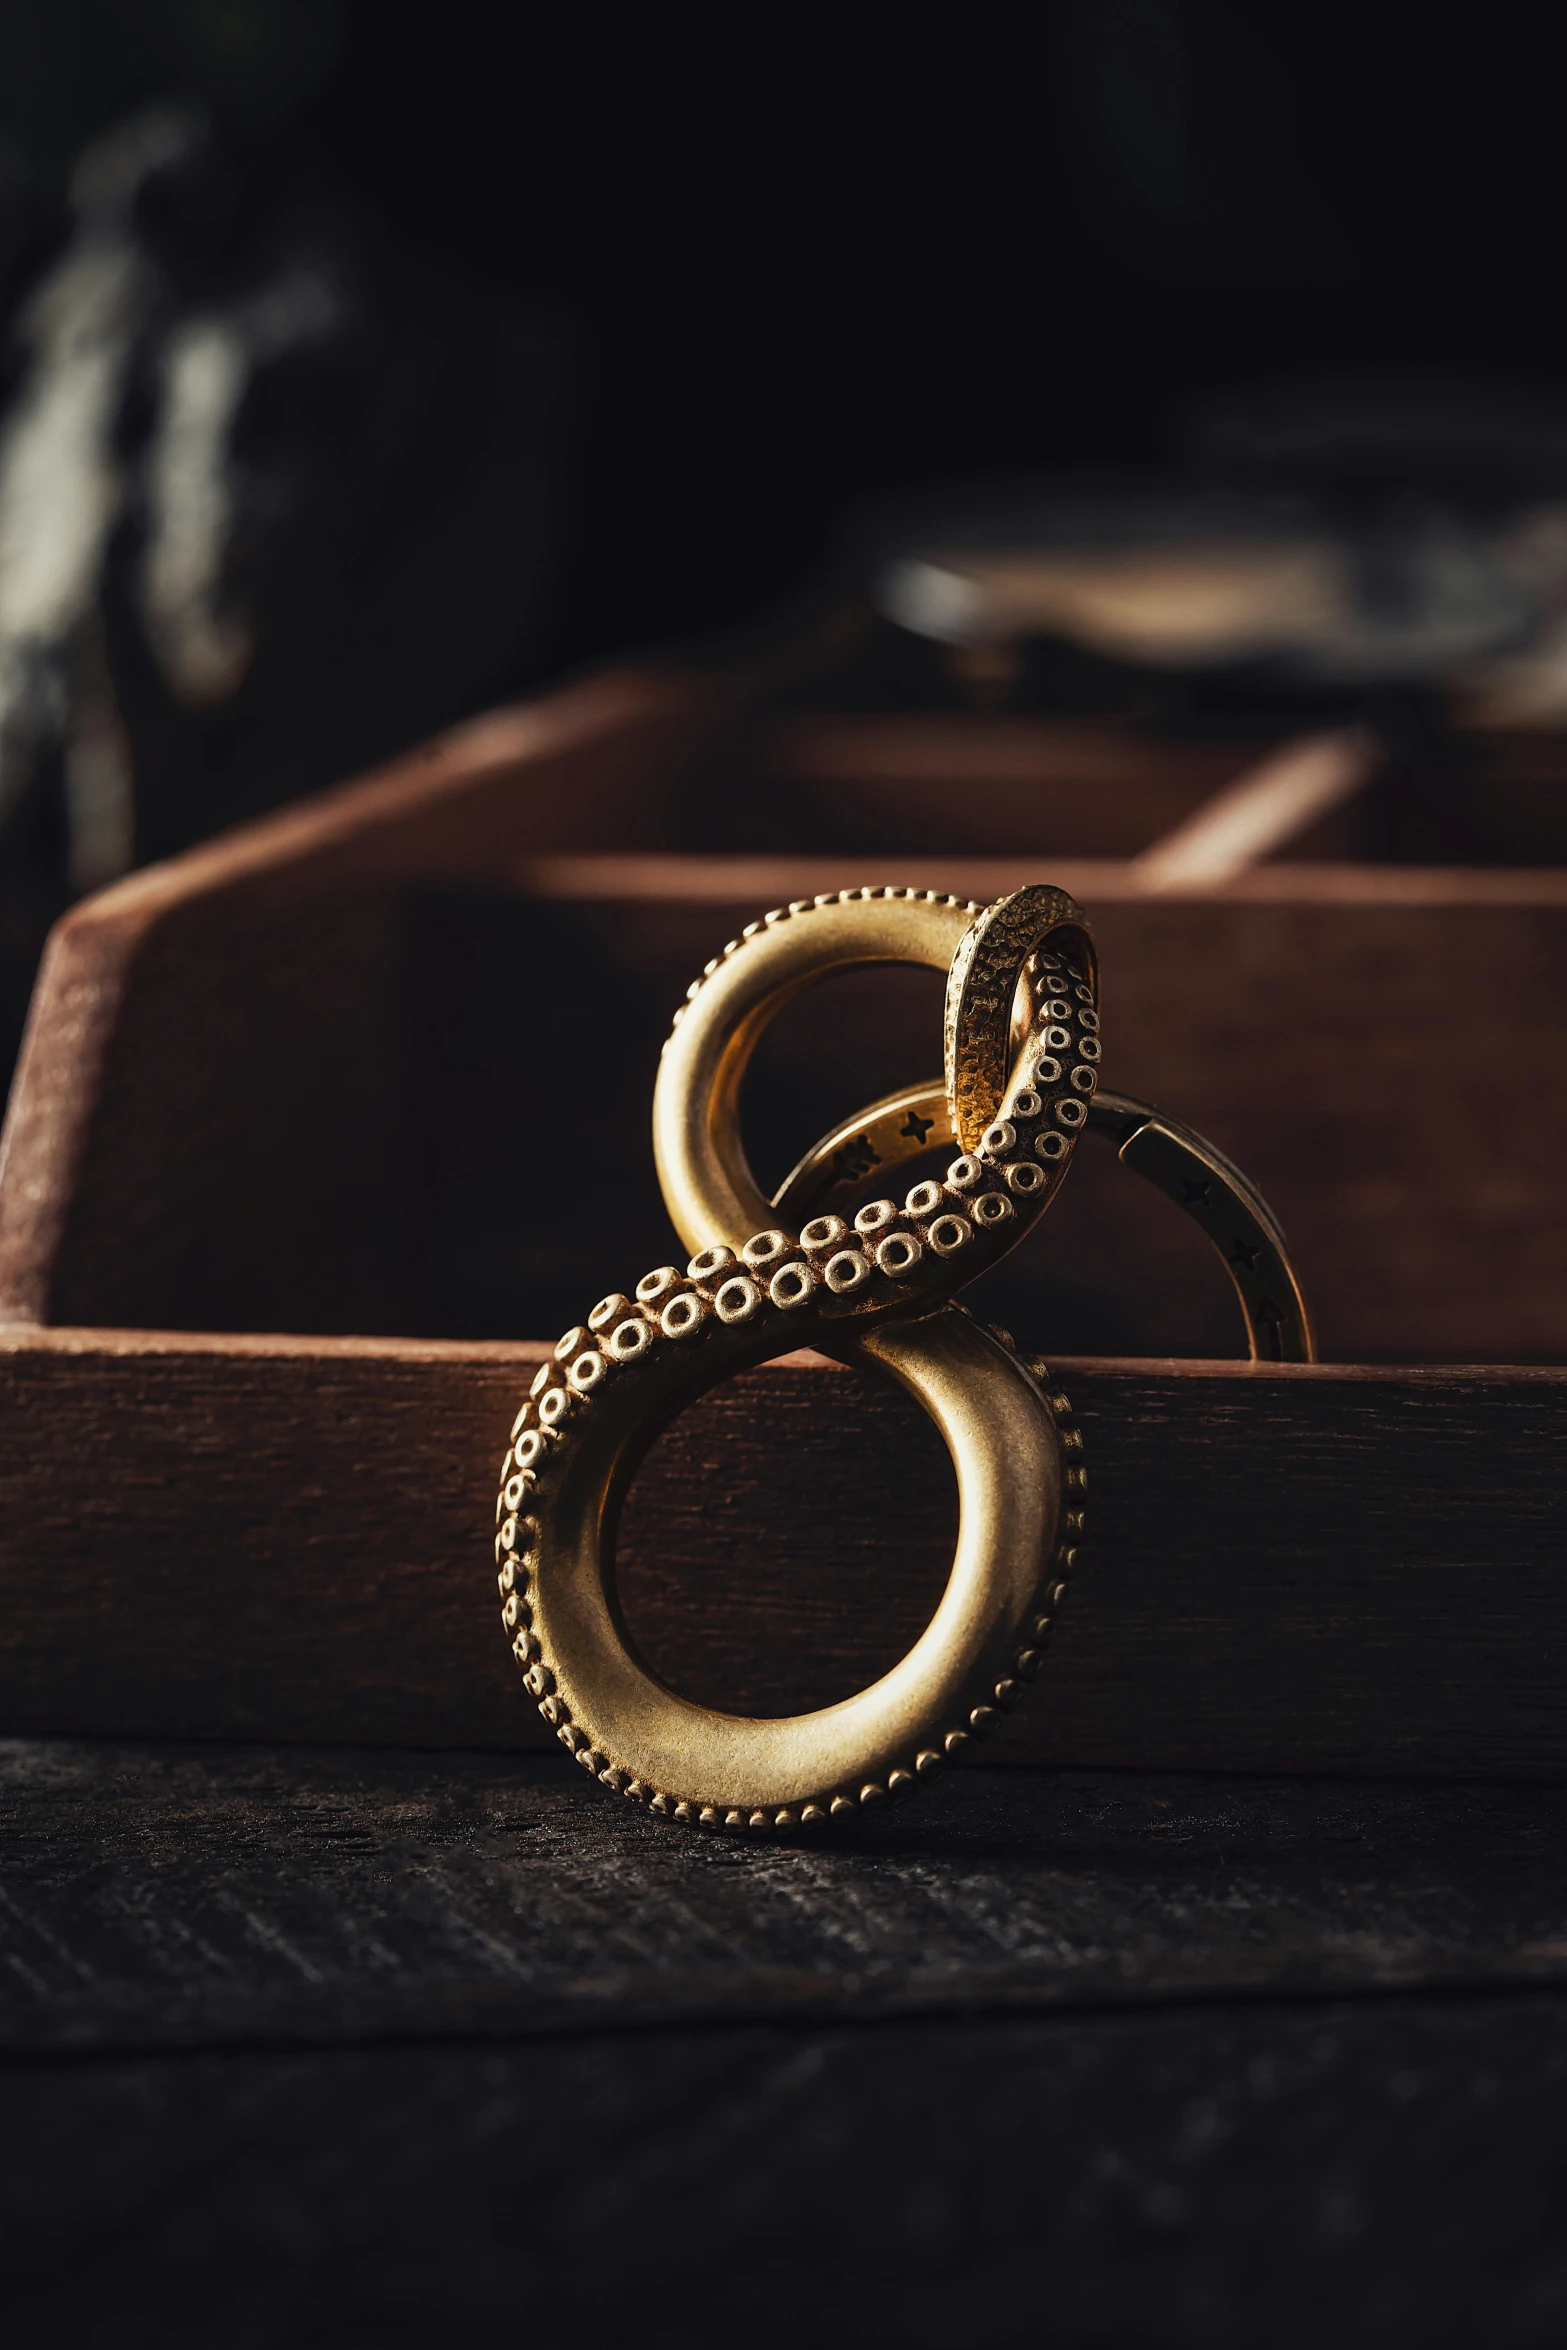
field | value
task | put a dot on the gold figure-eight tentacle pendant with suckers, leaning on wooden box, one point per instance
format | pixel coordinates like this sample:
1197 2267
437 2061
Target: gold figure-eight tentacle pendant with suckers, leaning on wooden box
880 1289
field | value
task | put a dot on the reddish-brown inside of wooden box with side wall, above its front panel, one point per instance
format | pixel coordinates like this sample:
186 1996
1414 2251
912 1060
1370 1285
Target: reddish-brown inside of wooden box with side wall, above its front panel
394 1075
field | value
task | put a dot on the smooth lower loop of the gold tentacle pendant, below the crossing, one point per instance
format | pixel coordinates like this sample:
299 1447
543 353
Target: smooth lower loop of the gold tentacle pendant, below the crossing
727 1771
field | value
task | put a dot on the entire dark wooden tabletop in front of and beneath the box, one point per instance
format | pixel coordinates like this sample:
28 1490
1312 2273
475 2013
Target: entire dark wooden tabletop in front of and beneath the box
356 2050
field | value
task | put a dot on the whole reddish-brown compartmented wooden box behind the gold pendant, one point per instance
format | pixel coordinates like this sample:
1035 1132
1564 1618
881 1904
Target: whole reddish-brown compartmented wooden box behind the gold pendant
278 1249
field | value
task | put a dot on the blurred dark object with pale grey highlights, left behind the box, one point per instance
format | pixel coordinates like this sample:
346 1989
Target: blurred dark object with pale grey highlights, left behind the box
278 495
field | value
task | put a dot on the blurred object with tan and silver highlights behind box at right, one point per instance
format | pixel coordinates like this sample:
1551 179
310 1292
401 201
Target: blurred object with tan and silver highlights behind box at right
1425 546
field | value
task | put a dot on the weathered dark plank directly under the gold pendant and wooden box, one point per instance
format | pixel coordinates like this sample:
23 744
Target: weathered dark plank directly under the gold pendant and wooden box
182 1898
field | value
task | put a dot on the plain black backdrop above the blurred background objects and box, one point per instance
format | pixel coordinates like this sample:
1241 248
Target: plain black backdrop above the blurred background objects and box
826 253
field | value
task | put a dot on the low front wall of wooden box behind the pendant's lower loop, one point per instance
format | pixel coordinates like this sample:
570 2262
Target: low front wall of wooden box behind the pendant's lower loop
1289 1569
